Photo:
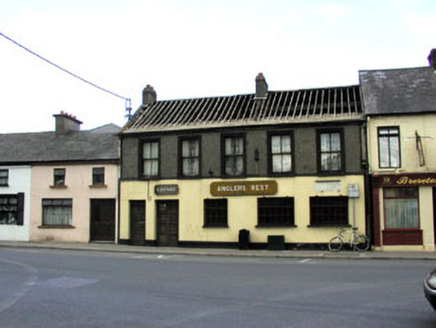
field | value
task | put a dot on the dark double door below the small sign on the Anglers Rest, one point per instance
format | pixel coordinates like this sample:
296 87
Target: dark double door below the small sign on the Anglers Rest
167 223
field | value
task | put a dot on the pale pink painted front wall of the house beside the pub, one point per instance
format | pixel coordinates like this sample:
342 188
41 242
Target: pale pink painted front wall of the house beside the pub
78 180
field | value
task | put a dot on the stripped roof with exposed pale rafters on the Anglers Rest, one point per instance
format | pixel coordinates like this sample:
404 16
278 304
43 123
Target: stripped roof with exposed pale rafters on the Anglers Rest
240 110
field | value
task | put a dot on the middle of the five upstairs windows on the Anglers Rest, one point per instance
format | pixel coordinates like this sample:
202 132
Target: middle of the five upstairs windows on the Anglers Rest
234 156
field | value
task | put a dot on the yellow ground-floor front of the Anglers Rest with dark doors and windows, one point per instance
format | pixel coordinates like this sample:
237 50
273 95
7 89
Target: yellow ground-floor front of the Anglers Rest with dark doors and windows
305 212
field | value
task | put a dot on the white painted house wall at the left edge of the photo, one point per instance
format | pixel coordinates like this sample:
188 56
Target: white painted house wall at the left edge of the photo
19 181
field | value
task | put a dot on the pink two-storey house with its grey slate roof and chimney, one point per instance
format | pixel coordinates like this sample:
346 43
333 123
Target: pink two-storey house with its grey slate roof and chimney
73 181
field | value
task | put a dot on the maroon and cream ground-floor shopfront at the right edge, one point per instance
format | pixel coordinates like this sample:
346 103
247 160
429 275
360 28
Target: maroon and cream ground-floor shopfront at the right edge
404 211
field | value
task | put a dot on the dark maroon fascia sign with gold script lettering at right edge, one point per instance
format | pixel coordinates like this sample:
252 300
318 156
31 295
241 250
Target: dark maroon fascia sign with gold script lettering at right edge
405 180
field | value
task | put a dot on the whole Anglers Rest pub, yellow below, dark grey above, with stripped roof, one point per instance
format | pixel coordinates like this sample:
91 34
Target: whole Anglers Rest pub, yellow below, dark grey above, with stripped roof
272 169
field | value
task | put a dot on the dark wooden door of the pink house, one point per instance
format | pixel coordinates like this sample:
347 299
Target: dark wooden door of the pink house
103 220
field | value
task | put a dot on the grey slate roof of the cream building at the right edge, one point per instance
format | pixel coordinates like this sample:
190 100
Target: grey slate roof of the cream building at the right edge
399 91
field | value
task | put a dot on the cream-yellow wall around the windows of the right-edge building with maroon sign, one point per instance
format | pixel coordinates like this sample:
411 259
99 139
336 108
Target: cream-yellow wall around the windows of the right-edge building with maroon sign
424 126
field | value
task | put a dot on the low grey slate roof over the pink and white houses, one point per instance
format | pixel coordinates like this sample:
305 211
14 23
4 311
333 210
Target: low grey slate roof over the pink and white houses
45 147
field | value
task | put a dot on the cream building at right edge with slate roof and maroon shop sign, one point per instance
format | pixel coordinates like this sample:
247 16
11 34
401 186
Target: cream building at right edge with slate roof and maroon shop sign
401 108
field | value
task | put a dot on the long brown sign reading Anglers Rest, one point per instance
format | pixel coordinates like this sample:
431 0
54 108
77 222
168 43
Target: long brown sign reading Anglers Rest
243 188
